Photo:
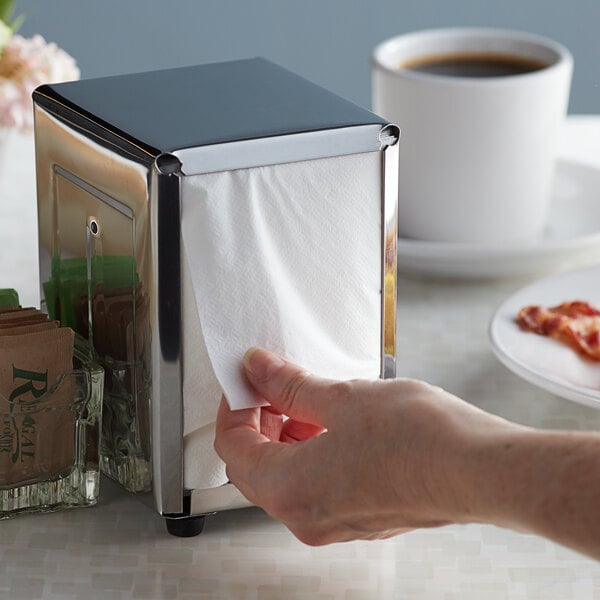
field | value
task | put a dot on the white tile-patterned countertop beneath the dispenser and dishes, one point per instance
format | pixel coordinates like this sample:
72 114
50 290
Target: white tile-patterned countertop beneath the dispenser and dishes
120 550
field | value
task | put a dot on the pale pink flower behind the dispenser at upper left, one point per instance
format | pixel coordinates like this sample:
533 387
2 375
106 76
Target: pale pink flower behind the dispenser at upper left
24 65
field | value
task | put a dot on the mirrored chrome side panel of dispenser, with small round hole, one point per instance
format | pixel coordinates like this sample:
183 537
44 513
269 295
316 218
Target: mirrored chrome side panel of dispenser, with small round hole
95 276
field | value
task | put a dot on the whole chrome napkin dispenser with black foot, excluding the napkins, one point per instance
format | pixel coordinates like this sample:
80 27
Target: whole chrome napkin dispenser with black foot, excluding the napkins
112 157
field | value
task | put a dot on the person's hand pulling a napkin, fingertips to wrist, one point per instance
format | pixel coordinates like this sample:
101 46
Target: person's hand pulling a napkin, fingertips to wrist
355 460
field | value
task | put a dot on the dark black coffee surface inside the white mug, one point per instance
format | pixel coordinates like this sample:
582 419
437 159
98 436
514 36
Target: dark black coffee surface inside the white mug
474 65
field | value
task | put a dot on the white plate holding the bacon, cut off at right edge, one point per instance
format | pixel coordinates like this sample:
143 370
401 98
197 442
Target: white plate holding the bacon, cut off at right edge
540 360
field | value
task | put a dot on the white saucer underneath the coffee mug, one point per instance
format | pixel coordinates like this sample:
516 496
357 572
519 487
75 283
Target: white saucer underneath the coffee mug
571 239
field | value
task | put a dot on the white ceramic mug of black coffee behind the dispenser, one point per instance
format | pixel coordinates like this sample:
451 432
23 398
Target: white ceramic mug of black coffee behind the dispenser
477 153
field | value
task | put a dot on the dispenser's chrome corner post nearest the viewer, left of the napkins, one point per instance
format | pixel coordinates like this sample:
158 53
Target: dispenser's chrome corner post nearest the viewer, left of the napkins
167 394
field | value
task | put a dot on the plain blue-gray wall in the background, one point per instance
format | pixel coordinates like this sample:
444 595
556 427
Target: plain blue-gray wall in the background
327 41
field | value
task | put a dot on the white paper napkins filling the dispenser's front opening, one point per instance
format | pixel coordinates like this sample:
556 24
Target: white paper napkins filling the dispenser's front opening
286 257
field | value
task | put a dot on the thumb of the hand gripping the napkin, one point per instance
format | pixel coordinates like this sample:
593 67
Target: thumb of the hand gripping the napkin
289 388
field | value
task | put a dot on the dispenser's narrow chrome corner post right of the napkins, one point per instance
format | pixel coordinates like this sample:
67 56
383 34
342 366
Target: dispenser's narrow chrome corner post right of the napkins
389 138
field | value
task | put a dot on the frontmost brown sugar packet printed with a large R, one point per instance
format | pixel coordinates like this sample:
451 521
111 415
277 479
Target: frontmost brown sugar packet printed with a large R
37 436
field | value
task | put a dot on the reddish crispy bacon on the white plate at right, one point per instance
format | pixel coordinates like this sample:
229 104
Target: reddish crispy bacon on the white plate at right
575 323
